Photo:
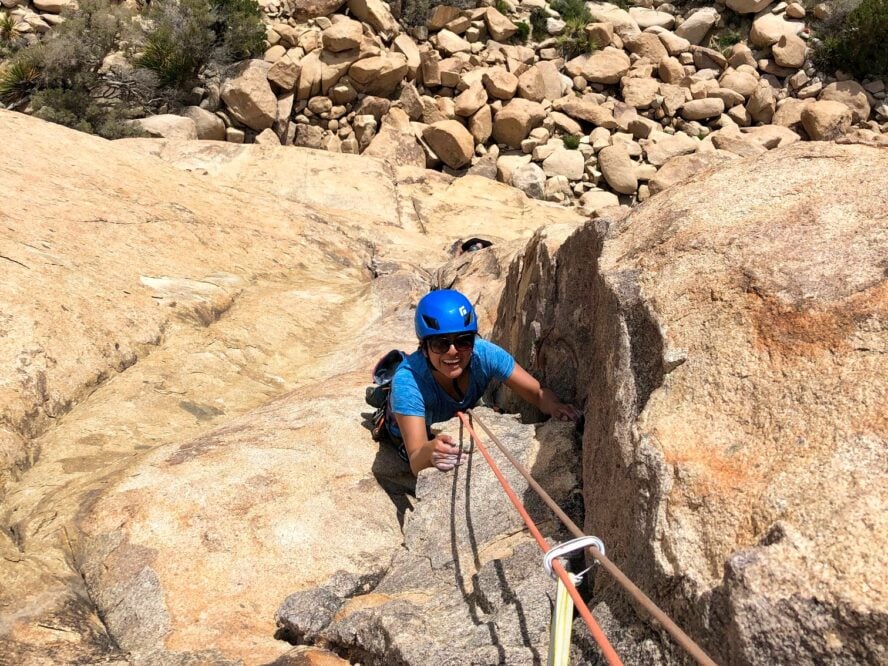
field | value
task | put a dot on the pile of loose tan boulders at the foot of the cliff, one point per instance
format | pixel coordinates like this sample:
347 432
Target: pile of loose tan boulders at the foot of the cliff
663 94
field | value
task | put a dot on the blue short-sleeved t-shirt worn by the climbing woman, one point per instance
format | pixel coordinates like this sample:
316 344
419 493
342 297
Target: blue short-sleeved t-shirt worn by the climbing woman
416 393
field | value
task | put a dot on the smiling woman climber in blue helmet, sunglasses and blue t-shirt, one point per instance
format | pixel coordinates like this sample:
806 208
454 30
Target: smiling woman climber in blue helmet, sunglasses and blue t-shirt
449 373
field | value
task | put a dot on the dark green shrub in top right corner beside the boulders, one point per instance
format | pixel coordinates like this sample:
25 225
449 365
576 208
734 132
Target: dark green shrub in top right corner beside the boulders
855 43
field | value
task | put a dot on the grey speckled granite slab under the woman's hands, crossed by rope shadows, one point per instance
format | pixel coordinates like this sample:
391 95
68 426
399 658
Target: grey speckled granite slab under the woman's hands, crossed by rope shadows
468 586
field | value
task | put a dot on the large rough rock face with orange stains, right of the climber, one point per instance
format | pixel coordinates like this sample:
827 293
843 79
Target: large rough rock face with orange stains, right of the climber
732 373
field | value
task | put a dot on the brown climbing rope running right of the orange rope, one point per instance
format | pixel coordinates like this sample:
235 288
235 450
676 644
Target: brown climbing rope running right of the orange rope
674 630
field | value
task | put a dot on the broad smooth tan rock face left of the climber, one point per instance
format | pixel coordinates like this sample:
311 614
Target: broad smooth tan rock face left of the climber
207 413
